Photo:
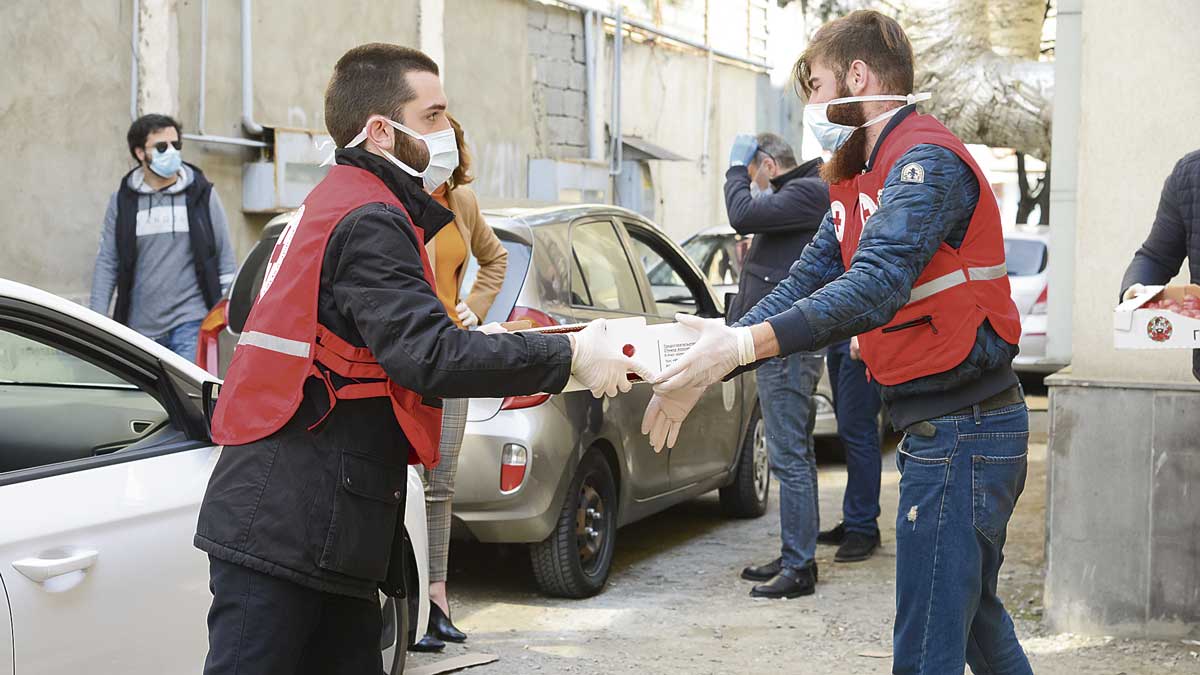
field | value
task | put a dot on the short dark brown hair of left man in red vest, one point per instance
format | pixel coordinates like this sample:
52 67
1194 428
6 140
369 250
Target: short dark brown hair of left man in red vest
371 80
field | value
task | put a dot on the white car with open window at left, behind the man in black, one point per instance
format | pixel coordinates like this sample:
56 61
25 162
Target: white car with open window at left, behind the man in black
105 457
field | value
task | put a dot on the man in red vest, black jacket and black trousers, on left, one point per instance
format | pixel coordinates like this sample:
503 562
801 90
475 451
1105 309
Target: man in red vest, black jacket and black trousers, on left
337 386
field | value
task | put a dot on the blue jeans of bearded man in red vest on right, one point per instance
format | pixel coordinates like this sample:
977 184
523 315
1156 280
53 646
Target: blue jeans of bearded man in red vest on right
961 480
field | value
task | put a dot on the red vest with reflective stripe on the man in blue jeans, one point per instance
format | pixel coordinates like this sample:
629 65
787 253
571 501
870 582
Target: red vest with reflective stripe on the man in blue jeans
956 292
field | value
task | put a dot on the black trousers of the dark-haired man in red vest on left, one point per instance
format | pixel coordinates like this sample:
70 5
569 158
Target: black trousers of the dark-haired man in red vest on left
261 625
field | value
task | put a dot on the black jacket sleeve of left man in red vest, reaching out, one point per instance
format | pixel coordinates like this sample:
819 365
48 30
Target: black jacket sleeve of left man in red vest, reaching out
380 285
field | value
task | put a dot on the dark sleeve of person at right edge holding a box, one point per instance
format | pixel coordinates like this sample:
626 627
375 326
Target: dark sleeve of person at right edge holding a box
1162 255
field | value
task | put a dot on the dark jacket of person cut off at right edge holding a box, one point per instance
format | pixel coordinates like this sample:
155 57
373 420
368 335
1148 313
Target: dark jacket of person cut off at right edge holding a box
1174 236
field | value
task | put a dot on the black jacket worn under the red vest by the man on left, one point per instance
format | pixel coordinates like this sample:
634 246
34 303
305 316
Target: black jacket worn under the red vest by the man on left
325 509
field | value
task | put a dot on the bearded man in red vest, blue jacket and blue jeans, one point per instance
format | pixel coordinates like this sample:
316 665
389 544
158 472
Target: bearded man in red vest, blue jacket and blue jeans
911 260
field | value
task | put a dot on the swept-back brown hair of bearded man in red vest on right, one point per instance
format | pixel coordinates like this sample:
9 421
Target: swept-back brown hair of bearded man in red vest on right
865 35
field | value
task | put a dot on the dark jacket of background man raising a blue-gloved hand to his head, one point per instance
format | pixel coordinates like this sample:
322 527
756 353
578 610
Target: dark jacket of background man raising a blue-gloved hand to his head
783 224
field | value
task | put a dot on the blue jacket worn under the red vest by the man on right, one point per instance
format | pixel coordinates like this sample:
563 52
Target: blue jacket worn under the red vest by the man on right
821 302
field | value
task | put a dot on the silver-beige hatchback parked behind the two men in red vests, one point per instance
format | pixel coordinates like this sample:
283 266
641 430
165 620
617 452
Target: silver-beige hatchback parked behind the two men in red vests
562 474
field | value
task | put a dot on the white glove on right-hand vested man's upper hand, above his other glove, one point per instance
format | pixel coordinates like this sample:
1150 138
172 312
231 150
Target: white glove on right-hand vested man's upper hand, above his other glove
719 350
